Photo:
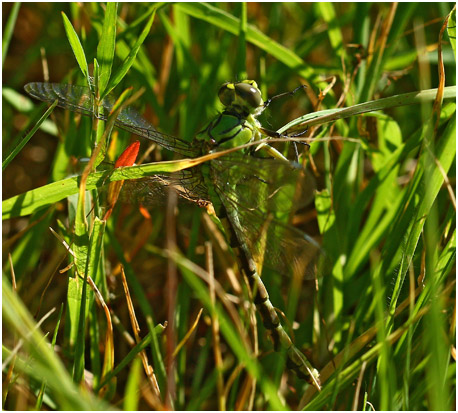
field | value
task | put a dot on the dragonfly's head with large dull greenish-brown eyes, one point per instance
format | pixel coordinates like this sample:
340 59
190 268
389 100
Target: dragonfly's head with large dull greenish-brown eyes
242 98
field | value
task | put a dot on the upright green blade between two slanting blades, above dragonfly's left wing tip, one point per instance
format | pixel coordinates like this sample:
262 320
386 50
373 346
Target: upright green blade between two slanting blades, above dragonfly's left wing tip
106 47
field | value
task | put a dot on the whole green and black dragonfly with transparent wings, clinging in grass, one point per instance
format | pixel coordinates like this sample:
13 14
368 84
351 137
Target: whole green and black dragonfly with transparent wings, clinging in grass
251 190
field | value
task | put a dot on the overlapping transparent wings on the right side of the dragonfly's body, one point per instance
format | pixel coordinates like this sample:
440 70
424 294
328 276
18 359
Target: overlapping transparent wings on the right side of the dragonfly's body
261 194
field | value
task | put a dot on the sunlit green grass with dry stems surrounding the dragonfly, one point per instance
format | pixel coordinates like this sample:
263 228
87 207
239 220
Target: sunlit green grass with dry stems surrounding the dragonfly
378 322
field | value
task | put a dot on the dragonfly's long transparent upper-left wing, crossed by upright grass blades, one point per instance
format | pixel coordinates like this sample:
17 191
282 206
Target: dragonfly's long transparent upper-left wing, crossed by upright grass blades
79 99
